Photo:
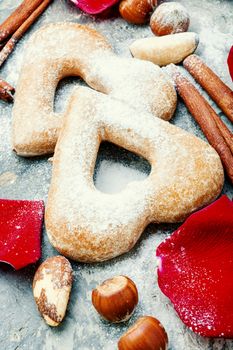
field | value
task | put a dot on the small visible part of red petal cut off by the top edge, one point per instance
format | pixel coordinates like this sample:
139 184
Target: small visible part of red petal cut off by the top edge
94 7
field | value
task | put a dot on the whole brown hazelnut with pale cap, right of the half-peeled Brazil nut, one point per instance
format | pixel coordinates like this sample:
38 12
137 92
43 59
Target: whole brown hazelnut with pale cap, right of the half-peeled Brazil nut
115 299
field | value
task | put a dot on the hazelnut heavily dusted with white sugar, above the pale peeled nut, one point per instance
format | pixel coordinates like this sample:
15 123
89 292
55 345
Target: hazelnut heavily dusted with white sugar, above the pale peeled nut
169 18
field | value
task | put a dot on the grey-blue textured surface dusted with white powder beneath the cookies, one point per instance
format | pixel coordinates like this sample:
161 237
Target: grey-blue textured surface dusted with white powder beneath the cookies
21 327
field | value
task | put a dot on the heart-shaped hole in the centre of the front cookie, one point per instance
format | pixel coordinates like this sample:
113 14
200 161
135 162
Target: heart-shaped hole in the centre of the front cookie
116 167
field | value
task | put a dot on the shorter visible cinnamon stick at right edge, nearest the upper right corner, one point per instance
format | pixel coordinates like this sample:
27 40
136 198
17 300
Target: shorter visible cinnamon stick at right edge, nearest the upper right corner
214 86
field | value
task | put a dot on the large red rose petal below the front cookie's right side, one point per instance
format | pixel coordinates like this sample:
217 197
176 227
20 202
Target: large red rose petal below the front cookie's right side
196 270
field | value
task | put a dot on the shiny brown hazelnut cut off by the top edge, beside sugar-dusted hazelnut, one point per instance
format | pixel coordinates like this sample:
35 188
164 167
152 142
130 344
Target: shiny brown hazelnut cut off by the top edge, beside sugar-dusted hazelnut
136 11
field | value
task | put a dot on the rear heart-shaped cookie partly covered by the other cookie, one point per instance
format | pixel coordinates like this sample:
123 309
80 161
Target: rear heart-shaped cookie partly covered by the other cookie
68 49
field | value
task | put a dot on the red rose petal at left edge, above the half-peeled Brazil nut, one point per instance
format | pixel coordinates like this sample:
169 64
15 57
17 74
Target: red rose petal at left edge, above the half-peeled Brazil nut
20 231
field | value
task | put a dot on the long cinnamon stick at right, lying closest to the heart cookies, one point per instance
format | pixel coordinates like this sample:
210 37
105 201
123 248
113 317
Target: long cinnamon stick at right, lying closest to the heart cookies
205 116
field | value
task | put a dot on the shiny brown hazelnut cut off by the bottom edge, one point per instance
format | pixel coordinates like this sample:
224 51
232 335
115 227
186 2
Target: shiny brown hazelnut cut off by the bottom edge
146 334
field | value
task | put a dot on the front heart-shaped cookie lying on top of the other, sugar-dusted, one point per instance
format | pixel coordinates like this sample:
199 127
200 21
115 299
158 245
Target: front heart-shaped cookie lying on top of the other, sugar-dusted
87 225
